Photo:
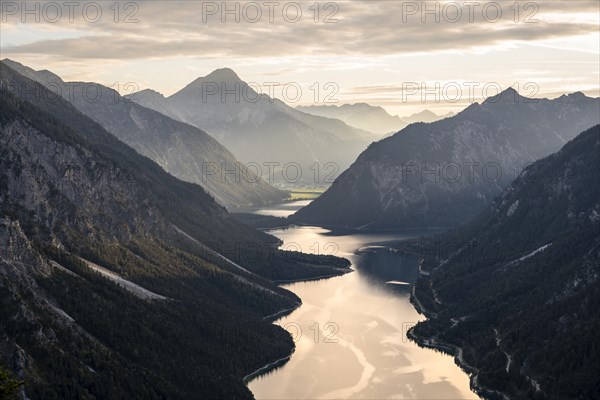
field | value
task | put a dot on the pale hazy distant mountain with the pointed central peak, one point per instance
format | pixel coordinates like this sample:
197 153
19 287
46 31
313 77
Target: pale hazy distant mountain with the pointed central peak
261 131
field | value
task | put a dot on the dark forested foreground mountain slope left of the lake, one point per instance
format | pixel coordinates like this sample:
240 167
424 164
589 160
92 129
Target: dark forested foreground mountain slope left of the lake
117 280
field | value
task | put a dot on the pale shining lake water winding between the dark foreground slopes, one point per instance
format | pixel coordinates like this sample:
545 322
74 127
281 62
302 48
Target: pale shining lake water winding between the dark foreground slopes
350 331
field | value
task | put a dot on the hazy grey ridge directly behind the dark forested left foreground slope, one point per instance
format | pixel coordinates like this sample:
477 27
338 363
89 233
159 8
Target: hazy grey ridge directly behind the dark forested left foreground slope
182 150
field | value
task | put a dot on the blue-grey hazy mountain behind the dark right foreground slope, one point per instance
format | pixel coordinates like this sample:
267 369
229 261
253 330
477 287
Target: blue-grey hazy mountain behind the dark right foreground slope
443 173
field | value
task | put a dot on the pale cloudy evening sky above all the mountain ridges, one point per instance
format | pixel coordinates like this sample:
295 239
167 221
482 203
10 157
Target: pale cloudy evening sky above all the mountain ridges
402 55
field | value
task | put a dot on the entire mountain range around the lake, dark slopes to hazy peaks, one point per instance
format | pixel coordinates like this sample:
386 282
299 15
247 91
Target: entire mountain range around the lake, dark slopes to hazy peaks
122 274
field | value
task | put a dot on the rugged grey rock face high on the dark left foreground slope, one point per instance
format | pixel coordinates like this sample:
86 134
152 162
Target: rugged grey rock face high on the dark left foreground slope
67 188
